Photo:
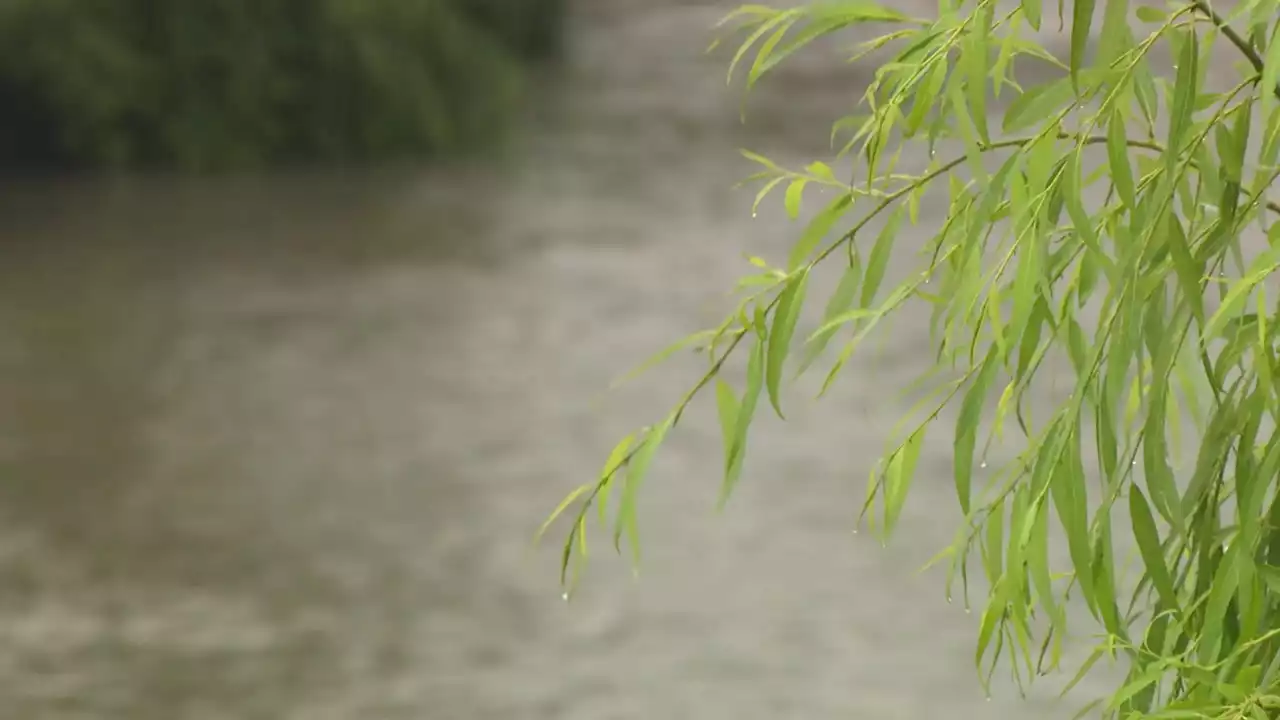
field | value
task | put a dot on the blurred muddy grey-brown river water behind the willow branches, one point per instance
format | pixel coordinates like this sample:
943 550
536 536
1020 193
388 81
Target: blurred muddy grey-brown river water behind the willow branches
275 449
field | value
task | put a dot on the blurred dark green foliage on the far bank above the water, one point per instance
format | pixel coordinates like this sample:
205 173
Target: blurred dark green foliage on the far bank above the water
209 85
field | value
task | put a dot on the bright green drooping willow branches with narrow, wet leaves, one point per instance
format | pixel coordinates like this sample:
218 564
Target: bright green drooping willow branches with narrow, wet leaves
1100 216
